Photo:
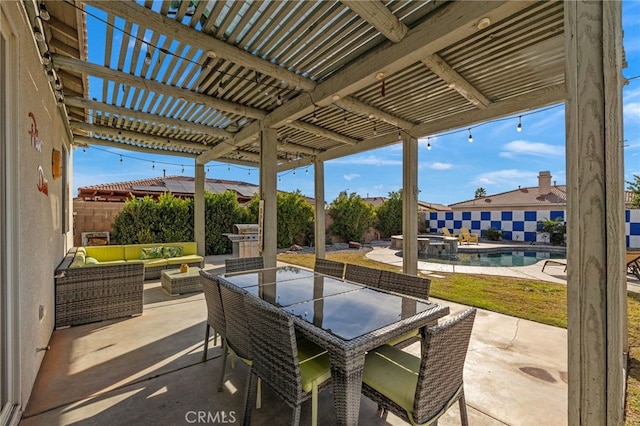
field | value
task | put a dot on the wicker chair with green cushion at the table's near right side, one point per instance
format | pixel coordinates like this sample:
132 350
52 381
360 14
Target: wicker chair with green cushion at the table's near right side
437 376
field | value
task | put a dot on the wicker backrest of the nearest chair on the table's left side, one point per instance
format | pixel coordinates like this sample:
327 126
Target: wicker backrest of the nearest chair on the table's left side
275 352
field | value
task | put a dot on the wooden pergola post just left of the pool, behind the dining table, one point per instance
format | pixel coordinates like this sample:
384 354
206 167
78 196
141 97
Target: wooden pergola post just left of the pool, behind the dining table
410 206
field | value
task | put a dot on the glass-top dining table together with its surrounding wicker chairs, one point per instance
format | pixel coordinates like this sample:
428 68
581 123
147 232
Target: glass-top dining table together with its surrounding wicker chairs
300 331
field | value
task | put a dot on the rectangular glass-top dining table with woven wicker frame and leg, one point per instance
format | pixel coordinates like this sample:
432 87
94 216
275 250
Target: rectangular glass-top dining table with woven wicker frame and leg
346 318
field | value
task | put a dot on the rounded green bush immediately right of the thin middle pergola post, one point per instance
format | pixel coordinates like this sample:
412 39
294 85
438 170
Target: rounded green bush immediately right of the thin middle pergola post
351 215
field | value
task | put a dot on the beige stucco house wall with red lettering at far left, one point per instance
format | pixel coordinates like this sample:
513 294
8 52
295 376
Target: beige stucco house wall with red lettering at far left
42 242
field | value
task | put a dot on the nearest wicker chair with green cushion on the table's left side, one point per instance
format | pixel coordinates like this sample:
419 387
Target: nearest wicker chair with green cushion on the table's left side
295 369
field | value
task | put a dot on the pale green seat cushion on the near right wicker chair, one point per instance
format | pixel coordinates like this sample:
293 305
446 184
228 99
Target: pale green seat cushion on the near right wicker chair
393 373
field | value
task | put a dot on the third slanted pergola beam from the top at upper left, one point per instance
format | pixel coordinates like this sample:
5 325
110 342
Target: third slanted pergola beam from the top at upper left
147 117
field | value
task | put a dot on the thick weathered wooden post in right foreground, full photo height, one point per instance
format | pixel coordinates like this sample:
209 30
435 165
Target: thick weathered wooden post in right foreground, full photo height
595 208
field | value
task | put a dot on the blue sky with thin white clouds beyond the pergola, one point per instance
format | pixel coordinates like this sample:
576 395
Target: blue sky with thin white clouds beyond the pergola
499 159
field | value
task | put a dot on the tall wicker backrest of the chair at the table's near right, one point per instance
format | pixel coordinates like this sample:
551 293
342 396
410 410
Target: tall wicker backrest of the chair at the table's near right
444 351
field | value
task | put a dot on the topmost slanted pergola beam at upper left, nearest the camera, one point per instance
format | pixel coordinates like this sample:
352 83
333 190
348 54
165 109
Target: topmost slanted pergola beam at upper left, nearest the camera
148 18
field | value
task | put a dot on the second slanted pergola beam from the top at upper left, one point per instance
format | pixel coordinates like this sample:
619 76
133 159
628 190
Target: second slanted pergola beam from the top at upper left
79 66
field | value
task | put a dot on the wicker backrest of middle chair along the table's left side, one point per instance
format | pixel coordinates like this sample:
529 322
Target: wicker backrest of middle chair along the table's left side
236 320
